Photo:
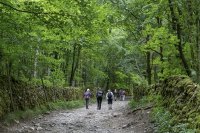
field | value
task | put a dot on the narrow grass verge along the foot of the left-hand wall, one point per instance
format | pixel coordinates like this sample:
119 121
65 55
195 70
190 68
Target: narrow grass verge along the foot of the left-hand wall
31 113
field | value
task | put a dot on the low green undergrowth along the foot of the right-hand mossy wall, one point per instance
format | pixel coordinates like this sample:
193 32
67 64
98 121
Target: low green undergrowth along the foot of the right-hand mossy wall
161 117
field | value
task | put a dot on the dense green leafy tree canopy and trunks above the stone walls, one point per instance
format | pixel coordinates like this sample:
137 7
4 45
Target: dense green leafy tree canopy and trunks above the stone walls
99 43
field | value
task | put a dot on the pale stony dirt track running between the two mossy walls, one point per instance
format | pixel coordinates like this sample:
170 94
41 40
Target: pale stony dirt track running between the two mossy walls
118 120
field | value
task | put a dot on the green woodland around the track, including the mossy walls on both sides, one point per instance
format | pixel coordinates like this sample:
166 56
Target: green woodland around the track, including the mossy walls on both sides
150 48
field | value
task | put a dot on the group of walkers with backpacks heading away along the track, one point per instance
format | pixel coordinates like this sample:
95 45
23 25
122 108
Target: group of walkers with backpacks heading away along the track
110 96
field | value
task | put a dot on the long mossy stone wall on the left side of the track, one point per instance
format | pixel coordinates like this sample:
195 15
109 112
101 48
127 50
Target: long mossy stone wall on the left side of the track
19 96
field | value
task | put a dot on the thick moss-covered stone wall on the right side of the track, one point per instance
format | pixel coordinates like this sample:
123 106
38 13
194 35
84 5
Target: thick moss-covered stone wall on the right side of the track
182 98
